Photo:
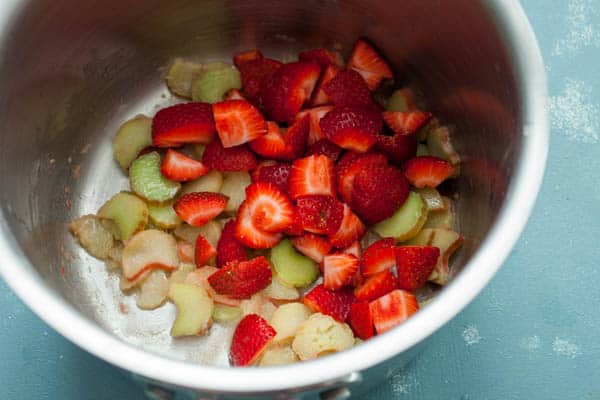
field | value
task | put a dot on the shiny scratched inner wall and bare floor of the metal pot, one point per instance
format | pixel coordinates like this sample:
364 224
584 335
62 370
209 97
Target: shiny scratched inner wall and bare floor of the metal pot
72 74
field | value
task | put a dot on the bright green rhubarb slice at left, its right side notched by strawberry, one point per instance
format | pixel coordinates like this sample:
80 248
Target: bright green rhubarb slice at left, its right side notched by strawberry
148 182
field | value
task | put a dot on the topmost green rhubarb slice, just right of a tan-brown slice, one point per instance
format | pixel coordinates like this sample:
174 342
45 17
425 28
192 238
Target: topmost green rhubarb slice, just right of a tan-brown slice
215 81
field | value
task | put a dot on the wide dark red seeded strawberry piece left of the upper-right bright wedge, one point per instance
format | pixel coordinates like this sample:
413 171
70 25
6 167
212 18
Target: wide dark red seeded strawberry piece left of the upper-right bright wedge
352 128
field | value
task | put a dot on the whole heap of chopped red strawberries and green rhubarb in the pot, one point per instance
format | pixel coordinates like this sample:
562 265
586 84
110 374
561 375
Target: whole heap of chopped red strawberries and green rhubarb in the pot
293 200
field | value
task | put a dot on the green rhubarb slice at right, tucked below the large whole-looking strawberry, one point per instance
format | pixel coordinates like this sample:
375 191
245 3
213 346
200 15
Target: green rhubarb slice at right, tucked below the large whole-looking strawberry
406 222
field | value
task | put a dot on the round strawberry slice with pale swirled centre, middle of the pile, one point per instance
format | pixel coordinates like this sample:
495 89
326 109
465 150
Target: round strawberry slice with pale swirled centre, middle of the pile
271 209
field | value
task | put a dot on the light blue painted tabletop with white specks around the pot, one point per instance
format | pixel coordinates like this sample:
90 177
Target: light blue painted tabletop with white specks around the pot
533 332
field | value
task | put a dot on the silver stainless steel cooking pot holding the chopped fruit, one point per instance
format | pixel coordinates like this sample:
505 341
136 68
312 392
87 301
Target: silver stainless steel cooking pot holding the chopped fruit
70 73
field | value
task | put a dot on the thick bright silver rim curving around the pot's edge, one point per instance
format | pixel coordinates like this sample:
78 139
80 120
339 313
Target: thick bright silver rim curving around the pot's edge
514 27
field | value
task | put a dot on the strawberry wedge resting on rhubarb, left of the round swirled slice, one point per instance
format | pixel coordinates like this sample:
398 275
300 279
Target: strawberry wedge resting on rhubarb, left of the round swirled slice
197 208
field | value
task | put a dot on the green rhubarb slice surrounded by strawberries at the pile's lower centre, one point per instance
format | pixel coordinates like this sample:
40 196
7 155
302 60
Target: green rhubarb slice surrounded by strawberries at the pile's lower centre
293 268
